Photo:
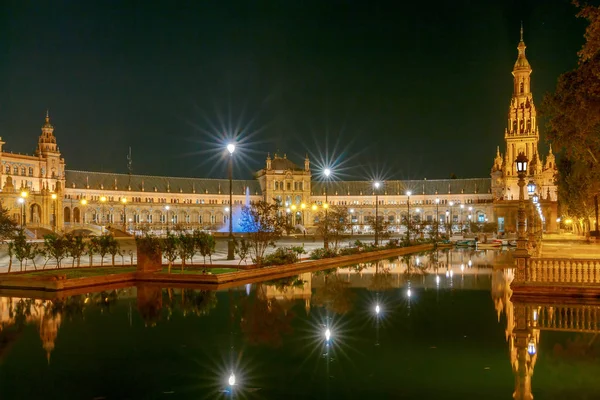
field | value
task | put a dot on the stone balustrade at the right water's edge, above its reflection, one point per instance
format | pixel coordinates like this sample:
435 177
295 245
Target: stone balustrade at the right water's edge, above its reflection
563 271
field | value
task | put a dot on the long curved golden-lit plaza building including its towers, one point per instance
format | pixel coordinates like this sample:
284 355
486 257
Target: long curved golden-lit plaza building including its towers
42 195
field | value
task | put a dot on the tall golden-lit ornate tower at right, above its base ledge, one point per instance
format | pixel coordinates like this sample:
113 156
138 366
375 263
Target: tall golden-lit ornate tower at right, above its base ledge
522 136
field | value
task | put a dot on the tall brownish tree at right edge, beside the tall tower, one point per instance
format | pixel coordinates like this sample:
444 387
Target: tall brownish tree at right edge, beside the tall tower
573 113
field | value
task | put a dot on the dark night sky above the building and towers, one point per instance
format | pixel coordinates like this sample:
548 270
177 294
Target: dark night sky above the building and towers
390 88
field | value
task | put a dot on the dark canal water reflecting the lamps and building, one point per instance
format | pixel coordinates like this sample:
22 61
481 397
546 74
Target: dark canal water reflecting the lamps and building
436 326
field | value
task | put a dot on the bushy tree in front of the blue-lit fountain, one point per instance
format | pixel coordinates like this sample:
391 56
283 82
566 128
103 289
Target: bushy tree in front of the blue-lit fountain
264 225
